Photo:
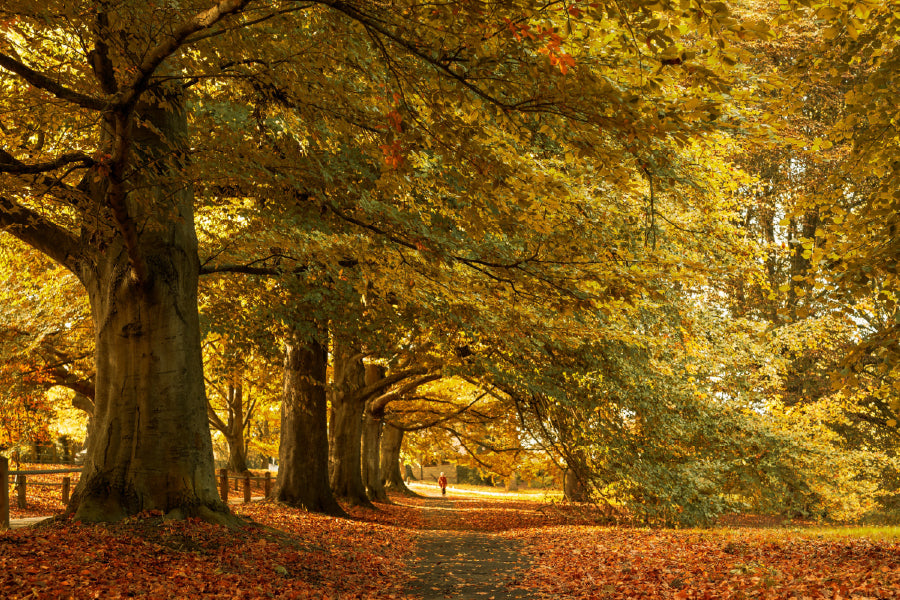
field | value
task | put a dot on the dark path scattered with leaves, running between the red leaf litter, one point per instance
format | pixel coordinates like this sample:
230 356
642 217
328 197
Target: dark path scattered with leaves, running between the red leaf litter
453 563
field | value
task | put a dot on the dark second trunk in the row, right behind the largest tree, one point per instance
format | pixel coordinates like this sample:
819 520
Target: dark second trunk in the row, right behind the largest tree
303 453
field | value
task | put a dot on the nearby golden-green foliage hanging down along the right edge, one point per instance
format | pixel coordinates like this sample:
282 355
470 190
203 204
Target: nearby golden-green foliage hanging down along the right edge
856 249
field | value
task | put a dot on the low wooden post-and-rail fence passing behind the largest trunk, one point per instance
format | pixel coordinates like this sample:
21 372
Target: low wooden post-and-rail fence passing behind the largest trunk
246 480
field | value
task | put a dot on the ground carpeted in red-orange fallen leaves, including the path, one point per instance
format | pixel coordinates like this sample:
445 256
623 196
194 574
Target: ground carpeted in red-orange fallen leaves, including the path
466 546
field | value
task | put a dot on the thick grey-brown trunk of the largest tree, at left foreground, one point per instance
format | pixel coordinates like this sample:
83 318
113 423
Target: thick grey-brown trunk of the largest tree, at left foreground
150 446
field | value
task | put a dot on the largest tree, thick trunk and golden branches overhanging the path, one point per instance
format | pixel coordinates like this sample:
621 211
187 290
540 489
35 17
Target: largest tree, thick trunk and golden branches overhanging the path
101 167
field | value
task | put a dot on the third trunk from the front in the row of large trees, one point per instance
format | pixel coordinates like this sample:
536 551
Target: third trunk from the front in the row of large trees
346 426
